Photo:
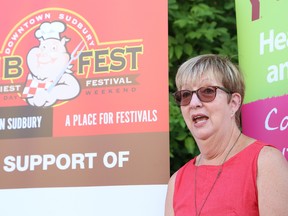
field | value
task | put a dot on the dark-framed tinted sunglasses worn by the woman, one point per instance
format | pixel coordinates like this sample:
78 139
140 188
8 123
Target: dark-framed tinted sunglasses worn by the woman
205 94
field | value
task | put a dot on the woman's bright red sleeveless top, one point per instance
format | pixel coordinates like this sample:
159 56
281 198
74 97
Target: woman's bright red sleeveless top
234 193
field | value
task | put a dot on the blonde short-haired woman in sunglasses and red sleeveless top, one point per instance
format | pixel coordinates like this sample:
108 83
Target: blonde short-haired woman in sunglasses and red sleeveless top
234 174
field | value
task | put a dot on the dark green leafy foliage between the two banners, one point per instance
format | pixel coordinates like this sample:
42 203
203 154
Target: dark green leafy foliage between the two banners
195 27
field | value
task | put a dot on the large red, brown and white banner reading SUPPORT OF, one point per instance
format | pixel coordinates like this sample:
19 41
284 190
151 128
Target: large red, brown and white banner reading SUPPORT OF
84 121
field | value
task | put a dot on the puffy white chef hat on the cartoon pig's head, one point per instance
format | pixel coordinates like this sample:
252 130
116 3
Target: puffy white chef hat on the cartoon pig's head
50 30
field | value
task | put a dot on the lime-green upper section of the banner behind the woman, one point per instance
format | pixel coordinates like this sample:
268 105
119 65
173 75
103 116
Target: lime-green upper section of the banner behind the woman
263 47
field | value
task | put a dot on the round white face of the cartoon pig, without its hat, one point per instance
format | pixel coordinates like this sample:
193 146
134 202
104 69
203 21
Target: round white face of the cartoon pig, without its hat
48 60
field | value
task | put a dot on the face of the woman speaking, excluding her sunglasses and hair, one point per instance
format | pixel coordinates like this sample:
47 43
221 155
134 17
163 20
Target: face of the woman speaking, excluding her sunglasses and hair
207 118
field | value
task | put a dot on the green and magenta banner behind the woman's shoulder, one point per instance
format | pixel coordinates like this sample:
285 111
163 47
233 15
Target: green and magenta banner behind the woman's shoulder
263 57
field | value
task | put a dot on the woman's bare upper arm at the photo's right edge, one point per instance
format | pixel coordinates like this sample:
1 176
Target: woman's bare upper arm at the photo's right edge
272 178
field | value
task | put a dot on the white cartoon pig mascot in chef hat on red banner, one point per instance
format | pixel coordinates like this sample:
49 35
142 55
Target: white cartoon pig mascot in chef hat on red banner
50 78
